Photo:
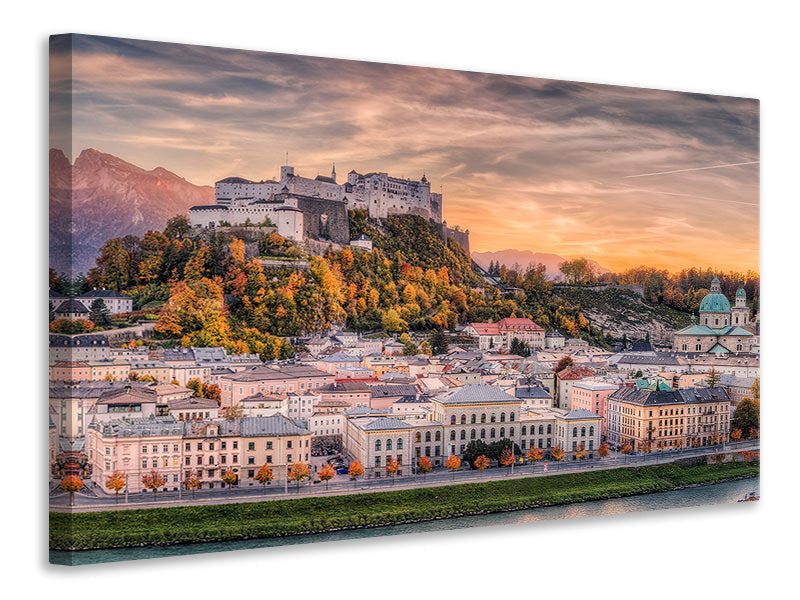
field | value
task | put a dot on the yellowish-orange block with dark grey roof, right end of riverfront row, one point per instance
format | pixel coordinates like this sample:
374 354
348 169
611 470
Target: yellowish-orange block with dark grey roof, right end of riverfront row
668 418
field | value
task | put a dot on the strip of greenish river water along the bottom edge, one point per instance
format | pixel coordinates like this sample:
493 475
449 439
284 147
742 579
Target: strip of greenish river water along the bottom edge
721 493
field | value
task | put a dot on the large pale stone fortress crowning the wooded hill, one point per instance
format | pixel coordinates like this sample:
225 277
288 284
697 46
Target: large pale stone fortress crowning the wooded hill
316 209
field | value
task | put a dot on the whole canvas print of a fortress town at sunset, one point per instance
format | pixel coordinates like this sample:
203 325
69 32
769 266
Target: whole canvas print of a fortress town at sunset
296 299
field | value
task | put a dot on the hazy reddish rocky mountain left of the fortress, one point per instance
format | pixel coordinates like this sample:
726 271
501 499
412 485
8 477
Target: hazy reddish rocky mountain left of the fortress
101 196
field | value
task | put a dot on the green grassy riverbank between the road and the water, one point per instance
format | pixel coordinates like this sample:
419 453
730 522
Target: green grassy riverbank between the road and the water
279 518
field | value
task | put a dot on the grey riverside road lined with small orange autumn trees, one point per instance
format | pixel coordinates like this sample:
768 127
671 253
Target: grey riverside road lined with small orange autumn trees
98 499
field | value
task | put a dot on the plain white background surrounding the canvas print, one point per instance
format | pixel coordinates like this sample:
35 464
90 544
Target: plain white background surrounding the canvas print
732 48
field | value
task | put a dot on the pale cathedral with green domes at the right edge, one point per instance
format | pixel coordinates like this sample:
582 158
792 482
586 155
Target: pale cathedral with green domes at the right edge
719 329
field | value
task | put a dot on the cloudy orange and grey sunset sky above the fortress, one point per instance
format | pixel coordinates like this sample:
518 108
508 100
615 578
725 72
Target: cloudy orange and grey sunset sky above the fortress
624 176
